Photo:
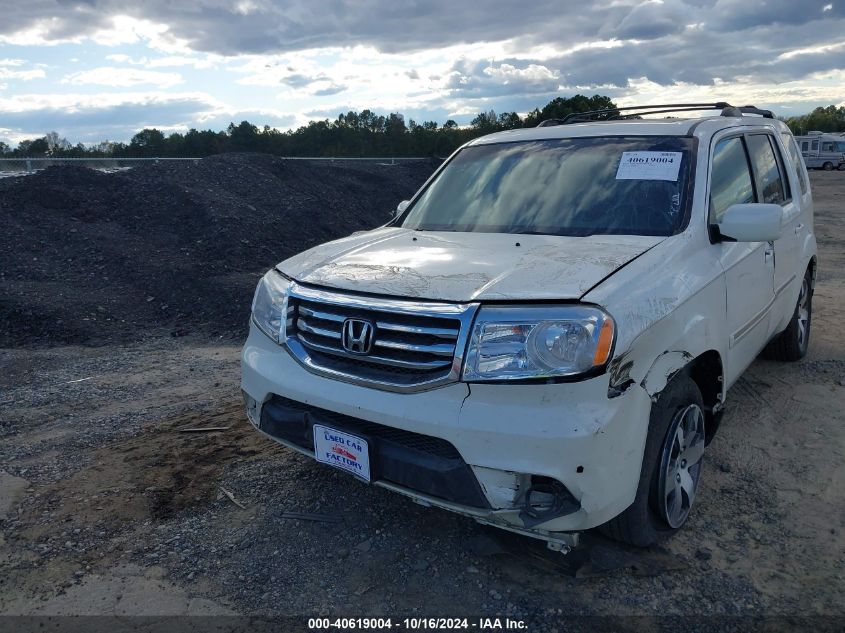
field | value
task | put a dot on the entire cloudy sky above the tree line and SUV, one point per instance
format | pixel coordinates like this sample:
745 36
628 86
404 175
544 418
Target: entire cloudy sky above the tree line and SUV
95 70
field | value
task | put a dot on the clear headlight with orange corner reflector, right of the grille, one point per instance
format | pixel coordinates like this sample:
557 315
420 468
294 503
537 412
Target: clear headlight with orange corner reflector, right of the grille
511 343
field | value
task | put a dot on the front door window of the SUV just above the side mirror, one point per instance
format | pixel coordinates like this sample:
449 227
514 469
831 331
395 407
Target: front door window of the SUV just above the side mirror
731 178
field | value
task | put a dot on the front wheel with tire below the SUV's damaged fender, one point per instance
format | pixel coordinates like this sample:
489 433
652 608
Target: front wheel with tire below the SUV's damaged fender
652 516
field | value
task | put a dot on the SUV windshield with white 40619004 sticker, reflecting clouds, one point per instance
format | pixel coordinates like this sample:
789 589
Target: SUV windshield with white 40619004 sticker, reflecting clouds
581 186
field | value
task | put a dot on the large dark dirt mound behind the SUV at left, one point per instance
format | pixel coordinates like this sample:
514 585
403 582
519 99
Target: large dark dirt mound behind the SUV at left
90 257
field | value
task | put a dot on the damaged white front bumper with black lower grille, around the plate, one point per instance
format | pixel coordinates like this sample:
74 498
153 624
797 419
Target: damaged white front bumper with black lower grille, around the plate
546 461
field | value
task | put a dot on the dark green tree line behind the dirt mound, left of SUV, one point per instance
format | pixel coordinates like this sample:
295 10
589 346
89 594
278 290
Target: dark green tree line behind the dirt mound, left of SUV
354 134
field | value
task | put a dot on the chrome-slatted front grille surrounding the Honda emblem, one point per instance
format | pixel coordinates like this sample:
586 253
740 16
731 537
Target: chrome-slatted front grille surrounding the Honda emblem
412 343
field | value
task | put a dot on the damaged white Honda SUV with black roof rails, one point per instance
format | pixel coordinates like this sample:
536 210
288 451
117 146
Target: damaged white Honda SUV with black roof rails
543 337
